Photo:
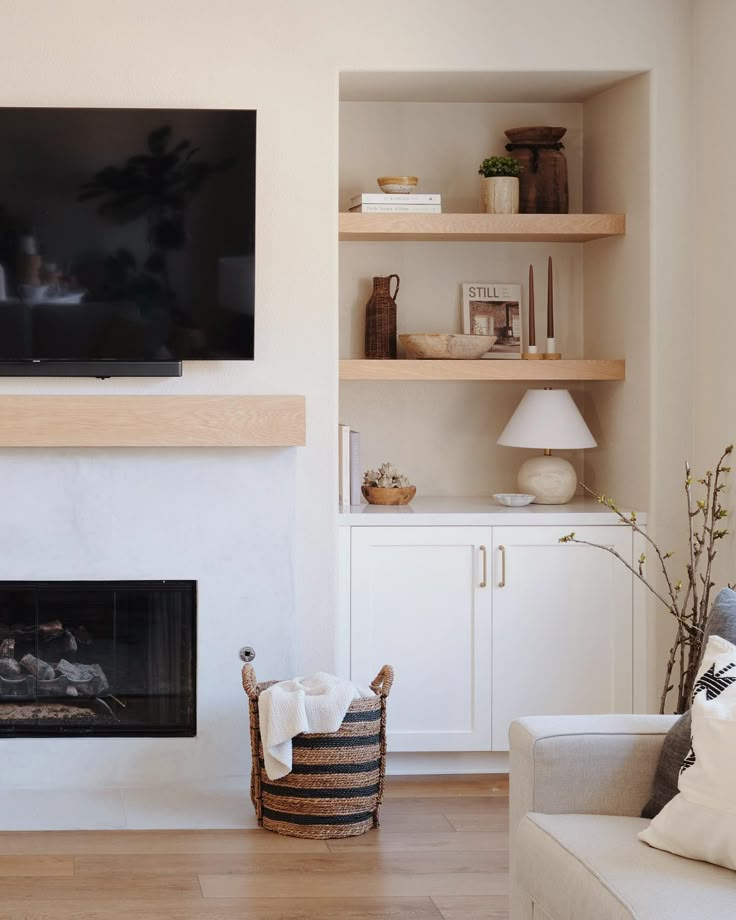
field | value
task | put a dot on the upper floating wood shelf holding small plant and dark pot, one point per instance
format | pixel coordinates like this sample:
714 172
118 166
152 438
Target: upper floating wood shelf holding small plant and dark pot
523 228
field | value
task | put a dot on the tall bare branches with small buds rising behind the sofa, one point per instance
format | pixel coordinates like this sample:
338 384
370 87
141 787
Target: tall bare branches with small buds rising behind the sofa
688 598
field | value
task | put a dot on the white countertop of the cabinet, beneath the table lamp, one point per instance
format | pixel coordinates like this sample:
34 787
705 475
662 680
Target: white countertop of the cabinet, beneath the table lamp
480 510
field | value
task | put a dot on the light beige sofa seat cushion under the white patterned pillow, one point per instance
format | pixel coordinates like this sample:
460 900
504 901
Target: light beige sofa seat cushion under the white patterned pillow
579 867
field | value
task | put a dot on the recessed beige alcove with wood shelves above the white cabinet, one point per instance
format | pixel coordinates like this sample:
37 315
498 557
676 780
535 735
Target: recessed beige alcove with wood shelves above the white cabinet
439 126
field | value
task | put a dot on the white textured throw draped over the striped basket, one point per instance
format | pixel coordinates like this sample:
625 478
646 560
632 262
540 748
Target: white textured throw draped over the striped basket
317 703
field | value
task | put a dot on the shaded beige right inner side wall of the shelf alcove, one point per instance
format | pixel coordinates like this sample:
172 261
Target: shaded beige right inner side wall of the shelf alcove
617 305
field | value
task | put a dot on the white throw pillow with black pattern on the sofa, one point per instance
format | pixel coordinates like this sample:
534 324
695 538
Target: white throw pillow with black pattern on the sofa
700 822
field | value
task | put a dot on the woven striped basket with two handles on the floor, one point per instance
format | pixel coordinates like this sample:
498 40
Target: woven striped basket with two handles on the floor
336 783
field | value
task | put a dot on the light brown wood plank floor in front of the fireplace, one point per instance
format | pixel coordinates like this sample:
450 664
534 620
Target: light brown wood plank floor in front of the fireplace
441 852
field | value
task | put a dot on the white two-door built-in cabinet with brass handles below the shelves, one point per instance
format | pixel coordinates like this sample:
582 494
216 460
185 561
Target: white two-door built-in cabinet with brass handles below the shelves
551 633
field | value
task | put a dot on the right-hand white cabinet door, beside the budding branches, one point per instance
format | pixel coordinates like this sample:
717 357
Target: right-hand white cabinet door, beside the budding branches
562 624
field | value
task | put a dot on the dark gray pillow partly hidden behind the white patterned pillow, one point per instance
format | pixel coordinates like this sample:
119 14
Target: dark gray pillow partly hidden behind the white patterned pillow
676 744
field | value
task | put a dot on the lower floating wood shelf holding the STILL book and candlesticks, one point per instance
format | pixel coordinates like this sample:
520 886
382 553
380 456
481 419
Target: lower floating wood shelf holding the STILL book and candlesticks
509 370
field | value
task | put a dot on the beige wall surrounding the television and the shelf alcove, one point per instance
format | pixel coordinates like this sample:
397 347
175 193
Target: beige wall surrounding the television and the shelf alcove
283 57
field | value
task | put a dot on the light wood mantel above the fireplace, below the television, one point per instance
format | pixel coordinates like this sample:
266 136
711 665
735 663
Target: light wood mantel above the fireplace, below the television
152 421
